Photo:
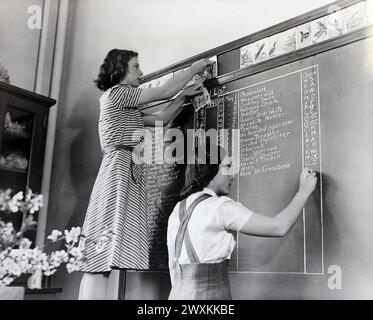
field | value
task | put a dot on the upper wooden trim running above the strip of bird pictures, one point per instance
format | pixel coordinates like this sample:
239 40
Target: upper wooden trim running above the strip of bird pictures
278 28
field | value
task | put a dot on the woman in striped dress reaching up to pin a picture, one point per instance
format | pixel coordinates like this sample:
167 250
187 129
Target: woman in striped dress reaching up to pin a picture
115 227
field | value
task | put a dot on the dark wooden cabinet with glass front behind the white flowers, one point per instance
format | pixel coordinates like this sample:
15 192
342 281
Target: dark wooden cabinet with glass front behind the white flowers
23 132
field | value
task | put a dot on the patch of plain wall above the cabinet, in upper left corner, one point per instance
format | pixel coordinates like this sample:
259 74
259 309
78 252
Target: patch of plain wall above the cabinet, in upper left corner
19 45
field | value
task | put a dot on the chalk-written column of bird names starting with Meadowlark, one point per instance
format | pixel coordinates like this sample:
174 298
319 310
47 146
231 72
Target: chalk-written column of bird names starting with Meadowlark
262 123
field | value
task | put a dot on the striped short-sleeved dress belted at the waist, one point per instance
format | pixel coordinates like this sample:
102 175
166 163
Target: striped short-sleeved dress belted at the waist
115 227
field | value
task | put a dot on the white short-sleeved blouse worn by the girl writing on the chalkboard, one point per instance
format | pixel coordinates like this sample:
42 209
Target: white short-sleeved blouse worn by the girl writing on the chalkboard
209 227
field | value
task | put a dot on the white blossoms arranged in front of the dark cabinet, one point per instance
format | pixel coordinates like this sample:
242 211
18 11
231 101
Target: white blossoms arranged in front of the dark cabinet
16 255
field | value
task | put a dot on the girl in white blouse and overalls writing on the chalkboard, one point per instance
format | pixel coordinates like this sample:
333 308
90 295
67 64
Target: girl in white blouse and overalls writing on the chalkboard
198 237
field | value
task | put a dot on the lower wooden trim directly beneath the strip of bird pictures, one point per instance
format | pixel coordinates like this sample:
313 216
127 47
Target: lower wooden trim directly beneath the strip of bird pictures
293 56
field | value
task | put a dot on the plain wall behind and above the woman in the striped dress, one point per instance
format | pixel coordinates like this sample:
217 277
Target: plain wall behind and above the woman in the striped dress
163 32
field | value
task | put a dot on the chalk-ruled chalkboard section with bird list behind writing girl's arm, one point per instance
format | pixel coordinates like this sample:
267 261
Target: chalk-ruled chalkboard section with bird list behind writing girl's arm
278 121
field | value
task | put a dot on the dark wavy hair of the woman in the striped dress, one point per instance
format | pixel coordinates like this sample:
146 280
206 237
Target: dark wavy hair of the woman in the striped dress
114 68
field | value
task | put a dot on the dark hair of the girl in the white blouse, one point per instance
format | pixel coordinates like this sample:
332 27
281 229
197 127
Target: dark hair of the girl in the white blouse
206 166
